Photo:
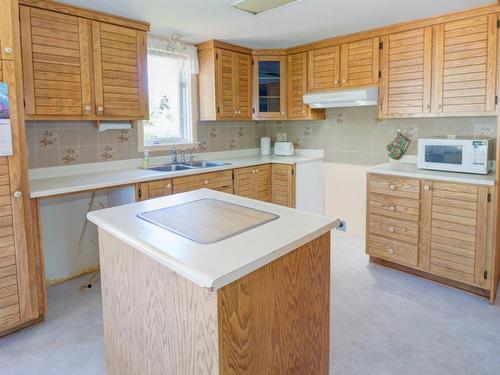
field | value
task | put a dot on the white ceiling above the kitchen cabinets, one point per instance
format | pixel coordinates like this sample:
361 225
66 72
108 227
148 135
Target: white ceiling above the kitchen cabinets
303 22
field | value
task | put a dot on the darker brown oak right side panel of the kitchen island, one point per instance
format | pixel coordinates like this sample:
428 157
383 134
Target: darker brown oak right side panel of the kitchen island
275 320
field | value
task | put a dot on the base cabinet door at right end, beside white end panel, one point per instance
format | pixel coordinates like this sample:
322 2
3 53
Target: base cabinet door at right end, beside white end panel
283 184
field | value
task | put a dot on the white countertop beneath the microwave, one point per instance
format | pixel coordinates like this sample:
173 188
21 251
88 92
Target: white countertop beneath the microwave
408 169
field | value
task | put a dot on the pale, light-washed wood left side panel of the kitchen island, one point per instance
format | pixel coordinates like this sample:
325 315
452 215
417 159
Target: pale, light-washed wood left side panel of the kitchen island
155 321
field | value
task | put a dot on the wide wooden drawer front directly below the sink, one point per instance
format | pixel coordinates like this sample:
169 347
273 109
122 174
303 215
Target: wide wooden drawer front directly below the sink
221 181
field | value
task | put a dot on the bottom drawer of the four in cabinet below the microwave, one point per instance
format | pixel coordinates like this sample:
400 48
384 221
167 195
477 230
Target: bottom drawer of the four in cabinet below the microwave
395 251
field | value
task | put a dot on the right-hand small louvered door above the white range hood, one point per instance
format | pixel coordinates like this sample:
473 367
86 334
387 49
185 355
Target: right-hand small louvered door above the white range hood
360 63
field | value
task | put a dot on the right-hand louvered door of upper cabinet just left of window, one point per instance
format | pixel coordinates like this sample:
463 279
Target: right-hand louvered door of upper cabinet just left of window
120 71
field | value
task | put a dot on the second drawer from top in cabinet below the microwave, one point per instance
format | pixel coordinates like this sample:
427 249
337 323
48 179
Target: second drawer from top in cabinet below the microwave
398 208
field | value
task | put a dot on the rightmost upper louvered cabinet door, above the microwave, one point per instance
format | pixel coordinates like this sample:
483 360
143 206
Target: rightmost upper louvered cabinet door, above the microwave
465 66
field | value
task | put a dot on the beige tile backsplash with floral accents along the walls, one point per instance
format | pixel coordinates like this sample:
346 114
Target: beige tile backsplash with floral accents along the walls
348 135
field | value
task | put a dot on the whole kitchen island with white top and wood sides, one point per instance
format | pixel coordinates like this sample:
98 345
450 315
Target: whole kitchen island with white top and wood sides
256 301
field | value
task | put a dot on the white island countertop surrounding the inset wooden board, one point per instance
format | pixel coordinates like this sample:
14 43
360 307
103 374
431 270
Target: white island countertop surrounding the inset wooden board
213 265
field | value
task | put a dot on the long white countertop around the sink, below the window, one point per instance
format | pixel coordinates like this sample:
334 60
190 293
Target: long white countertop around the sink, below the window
46 182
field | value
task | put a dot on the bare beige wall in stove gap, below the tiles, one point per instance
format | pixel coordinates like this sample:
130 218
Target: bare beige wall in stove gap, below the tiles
345 195
